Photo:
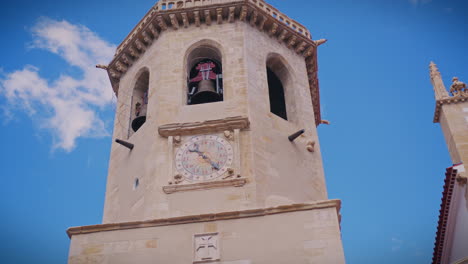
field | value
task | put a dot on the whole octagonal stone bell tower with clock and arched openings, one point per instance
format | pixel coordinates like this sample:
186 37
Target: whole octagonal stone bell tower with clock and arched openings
208 93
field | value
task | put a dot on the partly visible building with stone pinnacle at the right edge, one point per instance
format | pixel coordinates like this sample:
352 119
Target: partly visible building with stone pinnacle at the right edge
451 245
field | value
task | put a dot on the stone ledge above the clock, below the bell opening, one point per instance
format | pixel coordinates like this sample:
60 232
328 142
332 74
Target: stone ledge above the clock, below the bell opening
192 128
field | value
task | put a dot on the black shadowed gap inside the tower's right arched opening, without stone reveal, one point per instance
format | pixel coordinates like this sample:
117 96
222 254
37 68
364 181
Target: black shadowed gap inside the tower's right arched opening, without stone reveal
276 93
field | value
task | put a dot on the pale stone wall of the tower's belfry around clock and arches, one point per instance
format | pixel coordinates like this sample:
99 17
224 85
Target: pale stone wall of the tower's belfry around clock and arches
278 171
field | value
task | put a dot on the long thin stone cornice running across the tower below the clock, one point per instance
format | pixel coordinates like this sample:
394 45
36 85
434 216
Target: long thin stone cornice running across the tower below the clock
206 217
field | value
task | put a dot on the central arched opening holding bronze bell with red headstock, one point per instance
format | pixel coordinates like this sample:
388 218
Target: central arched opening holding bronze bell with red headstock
205 78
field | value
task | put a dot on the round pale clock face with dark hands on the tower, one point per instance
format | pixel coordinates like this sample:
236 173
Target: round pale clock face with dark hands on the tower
204 158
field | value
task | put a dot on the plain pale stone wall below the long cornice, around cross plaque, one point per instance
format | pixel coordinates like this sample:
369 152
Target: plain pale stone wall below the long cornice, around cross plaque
275 238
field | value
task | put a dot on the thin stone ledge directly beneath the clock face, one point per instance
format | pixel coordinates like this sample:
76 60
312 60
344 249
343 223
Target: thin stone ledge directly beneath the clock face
168 189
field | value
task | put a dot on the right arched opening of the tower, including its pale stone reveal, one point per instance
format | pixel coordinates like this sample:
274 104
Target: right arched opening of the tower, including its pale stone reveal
278 76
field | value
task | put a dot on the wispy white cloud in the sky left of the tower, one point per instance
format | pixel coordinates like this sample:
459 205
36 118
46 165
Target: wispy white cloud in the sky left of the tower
67 106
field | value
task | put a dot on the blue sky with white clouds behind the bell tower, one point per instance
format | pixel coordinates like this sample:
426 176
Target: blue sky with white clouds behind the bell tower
382 154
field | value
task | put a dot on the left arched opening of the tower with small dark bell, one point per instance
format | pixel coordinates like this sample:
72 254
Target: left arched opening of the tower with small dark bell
139 101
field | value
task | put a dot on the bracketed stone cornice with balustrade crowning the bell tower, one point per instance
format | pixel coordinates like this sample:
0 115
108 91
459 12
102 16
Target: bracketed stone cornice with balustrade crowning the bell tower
256 13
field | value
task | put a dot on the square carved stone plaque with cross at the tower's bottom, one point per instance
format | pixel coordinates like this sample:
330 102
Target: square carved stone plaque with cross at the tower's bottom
206 248
